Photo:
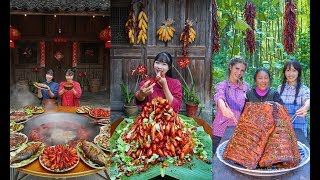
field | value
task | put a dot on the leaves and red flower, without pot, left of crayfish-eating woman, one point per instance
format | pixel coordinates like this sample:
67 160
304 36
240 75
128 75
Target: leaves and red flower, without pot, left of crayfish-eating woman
126 92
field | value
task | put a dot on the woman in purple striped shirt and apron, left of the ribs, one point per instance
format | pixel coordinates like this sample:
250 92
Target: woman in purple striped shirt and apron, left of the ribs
229 99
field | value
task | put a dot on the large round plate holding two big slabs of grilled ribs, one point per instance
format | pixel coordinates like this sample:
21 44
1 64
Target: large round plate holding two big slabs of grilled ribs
264 142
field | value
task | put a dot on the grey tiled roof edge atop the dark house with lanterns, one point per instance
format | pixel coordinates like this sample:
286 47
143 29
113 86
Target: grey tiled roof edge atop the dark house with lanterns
60 5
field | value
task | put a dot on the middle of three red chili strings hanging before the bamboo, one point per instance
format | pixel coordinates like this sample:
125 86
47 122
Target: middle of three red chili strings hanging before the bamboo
250 14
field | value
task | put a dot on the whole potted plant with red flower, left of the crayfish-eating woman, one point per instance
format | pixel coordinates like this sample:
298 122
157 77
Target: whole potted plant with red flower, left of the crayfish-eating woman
130 107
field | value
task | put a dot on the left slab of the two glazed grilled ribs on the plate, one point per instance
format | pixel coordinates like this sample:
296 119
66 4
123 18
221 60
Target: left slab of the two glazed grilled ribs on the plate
247 144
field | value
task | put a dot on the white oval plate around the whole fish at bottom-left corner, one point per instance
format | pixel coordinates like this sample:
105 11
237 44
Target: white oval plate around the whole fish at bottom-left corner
26 161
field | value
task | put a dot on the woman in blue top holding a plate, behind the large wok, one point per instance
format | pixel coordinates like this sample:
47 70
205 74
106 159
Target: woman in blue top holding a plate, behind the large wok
52 91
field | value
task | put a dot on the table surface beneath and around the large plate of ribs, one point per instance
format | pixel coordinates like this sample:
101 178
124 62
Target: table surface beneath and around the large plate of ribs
222 171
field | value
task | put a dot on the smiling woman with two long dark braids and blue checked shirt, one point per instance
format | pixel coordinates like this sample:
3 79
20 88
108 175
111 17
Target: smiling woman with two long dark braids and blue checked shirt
295 95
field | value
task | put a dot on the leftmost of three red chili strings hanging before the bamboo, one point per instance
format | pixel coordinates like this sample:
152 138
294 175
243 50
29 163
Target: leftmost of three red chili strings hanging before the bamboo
215 28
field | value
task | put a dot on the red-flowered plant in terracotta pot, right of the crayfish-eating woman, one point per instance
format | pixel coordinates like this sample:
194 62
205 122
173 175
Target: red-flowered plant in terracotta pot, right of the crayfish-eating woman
189 92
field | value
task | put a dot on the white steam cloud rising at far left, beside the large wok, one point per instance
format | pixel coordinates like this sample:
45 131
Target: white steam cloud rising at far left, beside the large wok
21 96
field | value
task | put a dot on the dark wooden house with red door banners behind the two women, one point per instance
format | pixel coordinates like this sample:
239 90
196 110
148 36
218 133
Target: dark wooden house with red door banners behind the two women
60 35
